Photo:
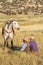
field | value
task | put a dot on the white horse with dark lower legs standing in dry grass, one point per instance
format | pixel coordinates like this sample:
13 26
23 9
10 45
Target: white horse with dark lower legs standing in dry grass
8 31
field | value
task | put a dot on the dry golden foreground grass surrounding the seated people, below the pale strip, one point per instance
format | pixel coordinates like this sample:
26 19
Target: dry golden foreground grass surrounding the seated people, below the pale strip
15 57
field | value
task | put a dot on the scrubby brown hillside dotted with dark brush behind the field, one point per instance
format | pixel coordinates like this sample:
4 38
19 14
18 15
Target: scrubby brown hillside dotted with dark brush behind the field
21 6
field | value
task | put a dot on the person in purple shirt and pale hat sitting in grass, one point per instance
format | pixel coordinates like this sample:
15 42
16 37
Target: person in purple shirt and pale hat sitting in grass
33 44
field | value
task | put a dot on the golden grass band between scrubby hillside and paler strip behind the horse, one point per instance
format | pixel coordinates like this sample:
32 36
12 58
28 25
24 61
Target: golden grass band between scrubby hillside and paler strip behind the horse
22 19
